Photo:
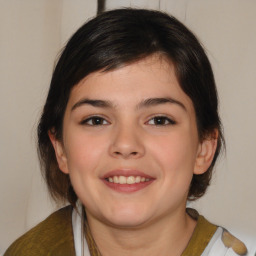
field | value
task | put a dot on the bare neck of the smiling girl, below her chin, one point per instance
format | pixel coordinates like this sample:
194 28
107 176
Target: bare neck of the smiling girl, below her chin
169 234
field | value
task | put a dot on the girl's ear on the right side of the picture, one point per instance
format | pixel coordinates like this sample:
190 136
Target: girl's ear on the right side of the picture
206 152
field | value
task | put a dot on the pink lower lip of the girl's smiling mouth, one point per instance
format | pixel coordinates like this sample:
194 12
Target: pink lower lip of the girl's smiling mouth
128 188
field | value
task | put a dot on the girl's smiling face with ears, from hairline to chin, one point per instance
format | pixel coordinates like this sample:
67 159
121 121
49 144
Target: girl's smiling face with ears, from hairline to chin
130 143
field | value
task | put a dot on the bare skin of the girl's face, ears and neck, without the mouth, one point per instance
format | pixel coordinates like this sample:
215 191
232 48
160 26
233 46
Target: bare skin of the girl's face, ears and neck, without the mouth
129 137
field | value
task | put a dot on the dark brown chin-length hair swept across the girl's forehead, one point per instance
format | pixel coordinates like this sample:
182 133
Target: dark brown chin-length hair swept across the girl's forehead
113 39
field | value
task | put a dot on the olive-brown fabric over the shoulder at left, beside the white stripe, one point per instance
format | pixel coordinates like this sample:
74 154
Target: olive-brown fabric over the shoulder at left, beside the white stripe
53 236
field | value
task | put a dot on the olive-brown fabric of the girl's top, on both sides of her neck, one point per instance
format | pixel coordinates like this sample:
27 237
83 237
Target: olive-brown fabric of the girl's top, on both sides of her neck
54 237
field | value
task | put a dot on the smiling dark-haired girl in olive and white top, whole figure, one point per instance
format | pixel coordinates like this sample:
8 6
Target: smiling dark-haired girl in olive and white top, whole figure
129 133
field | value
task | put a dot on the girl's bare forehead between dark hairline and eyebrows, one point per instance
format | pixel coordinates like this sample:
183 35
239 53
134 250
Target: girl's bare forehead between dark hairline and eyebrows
153 76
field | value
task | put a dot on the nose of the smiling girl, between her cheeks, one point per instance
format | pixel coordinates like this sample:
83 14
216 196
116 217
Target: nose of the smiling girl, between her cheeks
127 142
